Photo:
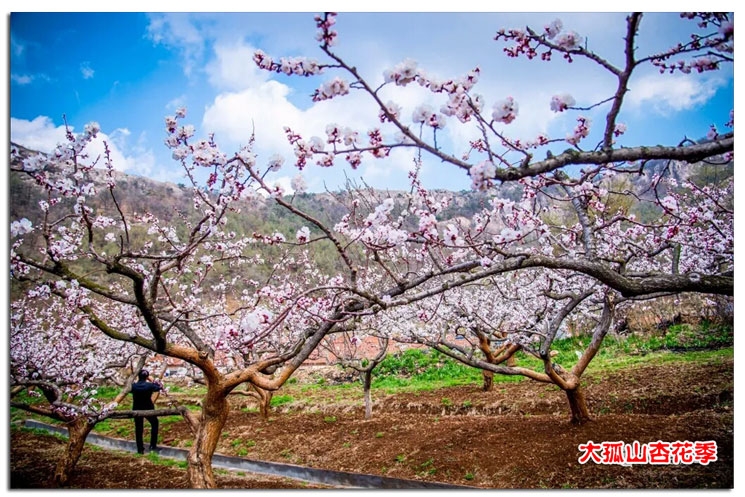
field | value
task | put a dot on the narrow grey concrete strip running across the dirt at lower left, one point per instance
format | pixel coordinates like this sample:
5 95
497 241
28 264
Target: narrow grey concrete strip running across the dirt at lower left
314 475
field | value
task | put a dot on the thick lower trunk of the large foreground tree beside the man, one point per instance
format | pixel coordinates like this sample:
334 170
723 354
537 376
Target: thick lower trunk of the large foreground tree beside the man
214 414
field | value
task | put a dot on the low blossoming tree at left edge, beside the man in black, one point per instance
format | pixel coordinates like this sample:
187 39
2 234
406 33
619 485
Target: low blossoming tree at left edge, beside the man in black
60 361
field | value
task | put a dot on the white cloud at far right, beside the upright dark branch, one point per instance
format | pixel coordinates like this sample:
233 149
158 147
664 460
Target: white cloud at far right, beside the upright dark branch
667 93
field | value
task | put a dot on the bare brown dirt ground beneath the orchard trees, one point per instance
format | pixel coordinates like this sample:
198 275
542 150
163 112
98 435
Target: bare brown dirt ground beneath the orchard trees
517 436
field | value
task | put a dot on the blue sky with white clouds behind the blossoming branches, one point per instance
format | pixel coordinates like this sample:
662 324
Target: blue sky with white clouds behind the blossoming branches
129 70
